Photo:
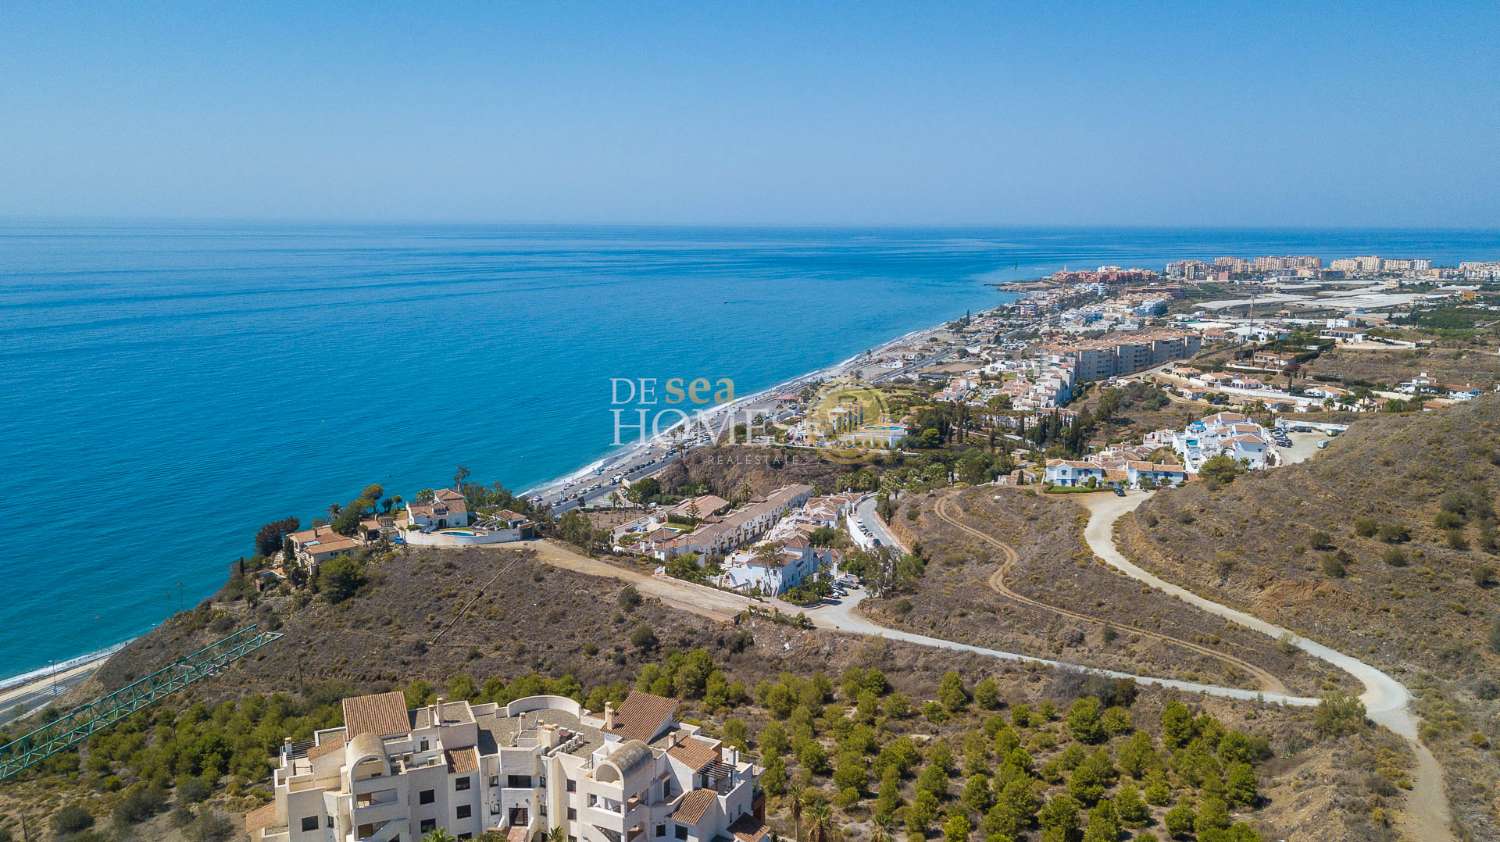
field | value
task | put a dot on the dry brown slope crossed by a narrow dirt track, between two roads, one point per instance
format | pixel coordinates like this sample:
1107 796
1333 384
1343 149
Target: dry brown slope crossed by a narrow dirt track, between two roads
1051 600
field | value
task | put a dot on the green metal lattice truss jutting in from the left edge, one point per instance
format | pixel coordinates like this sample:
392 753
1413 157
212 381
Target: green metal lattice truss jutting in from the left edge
85 721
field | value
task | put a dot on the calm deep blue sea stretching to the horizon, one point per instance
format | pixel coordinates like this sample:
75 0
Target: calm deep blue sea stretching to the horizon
166 389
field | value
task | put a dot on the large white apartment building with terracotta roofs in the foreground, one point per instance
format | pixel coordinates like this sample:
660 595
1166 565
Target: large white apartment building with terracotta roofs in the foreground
523 769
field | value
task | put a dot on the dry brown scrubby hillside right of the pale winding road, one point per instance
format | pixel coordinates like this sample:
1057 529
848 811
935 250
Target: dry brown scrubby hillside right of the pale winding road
1385 547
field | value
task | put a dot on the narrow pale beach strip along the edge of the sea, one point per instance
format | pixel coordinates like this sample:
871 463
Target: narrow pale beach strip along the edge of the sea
17 685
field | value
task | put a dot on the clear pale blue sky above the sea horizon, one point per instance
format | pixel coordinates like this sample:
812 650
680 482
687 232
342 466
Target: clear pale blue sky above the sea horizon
755 113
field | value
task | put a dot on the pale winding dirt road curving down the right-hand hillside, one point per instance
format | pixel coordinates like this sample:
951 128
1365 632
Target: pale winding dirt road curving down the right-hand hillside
1387 702
